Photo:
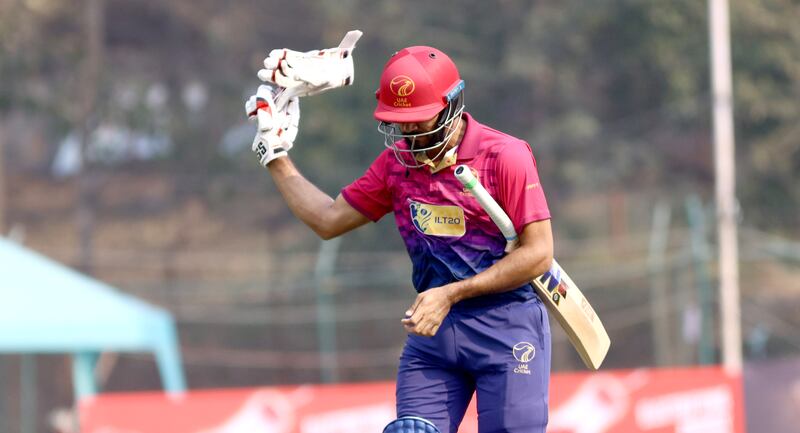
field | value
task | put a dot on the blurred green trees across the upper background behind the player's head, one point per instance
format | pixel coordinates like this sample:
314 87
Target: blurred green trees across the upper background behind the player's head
611 95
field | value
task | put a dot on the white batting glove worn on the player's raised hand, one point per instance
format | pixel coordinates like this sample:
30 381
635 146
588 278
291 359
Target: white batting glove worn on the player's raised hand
277 128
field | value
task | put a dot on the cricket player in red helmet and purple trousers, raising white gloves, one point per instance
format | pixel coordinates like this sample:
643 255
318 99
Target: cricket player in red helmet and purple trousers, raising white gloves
476 325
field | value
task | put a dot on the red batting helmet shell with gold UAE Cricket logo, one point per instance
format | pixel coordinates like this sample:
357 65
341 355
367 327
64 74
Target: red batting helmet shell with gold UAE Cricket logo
416 84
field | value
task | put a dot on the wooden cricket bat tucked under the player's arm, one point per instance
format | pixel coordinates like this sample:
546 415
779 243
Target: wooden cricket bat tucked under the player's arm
559 293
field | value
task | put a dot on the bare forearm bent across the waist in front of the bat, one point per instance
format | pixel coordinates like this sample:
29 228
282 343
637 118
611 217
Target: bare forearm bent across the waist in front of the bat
531 259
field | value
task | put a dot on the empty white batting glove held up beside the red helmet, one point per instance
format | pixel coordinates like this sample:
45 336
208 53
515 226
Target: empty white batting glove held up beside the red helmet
312 72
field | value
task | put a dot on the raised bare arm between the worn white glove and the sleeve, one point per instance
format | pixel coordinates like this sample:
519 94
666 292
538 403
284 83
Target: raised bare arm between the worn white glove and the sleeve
327 217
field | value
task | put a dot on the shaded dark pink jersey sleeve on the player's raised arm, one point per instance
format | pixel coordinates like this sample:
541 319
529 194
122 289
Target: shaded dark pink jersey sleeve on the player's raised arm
369 194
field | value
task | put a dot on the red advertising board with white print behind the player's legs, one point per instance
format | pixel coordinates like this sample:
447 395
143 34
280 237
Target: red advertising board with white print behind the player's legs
690 400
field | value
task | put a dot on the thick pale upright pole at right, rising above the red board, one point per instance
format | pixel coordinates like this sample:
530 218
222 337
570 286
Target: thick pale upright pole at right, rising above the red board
724 167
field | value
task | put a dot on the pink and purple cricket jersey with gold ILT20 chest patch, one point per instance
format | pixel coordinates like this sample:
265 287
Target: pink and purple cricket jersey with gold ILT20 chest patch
448 236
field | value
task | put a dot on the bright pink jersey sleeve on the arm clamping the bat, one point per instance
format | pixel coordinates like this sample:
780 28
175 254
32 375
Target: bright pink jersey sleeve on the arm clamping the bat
519 192
